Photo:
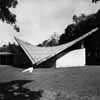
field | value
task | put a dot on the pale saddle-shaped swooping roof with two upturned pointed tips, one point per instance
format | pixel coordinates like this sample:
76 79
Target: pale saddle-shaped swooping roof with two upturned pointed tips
40 54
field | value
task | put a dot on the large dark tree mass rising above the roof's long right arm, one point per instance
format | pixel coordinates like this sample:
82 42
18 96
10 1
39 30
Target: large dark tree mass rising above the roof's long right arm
82 24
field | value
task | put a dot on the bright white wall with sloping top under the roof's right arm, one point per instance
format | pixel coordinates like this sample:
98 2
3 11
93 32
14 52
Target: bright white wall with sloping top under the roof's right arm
73 58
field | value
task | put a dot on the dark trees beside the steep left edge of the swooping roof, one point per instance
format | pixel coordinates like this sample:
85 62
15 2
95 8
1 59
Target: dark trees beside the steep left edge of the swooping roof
20 59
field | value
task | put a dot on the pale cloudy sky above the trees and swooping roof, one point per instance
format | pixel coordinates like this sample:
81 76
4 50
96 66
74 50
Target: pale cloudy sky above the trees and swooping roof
40 18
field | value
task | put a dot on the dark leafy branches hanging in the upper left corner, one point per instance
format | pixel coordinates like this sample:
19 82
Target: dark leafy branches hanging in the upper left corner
5 13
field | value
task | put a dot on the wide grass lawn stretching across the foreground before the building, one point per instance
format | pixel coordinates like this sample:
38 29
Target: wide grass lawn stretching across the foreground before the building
76 83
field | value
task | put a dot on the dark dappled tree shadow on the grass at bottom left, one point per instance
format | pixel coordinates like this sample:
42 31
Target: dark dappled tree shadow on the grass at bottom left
14 90
